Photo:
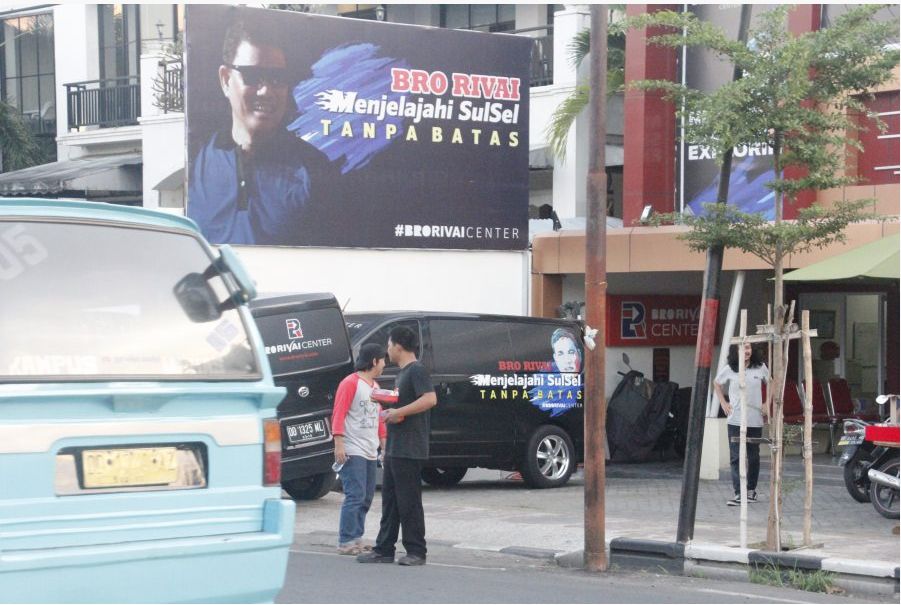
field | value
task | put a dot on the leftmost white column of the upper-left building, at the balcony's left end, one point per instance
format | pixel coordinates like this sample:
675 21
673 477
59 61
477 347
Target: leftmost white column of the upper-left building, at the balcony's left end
77 57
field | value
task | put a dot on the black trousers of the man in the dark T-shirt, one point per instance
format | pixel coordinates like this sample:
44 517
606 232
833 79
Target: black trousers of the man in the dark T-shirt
402 507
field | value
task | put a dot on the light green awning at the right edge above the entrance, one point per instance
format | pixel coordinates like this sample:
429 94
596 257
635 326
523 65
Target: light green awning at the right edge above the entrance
876 260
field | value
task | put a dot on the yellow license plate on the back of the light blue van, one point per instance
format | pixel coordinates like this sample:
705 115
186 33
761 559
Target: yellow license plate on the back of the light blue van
130 467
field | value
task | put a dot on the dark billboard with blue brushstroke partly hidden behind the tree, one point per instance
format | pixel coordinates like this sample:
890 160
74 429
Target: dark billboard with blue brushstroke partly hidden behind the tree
752 166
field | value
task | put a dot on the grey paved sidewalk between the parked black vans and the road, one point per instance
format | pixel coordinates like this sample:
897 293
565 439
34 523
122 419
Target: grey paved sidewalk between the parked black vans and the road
488 512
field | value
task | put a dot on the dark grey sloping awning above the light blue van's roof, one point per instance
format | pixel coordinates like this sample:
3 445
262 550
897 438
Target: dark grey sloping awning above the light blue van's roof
57 177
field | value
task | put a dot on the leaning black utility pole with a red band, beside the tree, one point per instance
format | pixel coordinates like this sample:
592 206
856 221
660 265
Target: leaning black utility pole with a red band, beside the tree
710 304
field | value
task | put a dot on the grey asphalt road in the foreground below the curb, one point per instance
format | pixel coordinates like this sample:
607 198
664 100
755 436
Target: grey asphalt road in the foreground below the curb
317 575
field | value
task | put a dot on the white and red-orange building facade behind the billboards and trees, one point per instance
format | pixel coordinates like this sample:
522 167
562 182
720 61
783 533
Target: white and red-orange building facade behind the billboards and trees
103 92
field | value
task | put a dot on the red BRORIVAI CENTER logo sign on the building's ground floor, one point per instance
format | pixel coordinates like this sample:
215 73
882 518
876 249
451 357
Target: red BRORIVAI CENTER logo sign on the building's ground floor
639 321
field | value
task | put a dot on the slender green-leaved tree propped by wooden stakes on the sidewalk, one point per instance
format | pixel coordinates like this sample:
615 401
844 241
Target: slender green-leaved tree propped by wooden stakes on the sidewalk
800 95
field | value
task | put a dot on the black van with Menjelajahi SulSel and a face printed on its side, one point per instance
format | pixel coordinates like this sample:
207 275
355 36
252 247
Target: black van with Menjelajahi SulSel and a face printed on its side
509 391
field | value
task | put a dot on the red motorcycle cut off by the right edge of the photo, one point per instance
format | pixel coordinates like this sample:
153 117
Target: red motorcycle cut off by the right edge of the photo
884 472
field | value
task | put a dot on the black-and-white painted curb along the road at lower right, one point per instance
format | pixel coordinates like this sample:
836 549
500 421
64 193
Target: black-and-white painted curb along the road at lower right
736 564
